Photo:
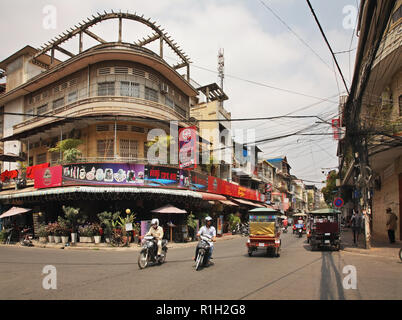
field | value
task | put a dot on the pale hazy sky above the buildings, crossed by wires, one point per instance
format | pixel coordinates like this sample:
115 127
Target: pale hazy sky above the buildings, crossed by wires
260 53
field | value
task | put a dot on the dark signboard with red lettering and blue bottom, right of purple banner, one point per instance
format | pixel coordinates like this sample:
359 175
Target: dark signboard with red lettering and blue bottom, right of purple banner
157 176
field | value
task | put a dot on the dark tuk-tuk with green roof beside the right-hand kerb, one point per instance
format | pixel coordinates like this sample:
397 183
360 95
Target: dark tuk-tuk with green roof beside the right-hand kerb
324 229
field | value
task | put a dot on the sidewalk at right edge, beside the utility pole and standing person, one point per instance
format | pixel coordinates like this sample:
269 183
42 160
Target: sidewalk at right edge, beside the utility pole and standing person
379 248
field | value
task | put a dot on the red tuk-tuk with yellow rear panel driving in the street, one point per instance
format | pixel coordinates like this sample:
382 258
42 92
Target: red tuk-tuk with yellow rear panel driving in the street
265 231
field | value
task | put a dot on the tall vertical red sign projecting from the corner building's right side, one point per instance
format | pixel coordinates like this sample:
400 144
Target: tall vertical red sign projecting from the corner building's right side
188 147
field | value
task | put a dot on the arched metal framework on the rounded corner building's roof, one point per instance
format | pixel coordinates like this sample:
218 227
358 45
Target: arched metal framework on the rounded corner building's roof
84 26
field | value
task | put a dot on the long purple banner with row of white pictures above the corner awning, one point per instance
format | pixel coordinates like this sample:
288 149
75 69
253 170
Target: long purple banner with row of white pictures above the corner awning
103 173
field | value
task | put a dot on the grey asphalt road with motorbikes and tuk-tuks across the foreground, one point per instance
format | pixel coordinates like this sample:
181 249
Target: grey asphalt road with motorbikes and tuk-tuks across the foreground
297 274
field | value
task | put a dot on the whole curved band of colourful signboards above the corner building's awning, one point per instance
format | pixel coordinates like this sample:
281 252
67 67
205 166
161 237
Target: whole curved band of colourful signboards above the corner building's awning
139 175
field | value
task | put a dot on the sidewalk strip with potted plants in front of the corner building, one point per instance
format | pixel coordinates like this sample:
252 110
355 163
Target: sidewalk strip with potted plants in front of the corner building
106 247
